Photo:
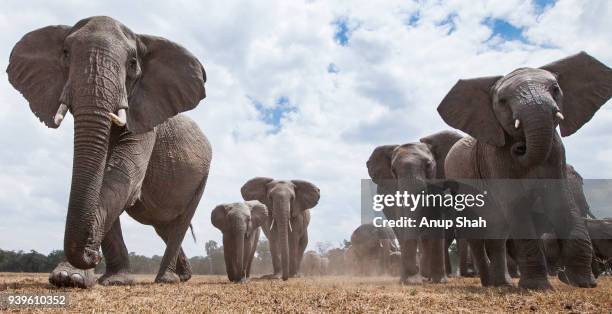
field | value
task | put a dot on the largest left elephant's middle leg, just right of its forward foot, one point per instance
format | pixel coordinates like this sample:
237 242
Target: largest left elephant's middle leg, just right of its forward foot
116 258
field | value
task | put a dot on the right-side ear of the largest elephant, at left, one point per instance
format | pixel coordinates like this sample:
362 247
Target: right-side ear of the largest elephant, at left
172 81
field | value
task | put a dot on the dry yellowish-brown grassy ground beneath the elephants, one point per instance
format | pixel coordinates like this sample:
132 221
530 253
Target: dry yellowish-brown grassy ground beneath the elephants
325 294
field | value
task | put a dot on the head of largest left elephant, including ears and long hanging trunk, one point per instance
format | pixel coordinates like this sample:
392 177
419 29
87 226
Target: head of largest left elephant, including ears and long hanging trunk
101 72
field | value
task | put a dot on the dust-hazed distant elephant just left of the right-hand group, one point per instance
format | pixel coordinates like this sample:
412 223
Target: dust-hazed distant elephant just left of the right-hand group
372 247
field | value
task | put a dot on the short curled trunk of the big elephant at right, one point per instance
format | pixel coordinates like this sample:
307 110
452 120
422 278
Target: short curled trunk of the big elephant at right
538 129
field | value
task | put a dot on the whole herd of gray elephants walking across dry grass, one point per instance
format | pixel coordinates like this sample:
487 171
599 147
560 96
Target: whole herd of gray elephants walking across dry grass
134 152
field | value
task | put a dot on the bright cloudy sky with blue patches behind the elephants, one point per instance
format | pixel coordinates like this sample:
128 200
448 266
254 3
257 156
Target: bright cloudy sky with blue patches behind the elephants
302 90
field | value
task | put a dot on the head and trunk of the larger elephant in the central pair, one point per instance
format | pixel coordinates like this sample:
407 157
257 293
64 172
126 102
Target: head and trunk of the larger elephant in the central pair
285 200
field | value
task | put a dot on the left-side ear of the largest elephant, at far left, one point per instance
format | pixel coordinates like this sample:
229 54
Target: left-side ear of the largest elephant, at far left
35 69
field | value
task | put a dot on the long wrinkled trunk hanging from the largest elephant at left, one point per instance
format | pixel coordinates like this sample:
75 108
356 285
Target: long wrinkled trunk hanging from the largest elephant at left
83 232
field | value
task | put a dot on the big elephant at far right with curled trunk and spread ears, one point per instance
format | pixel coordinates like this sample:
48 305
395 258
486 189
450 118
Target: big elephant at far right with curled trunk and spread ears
487 109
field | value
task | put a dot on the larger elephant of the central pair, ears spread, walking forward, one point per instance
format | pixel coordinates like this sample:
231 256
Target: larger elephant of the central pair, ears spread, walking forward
289 204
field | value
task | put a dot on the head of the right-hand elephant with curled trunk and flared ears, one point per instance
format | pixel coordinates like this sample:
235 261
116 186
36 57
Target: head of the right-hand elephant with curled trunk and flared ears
522 109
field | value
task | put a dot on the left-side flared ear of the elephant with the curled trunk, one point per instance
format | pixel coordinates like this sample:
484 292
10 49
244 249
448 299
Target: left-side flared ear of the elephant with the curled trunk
468 107
